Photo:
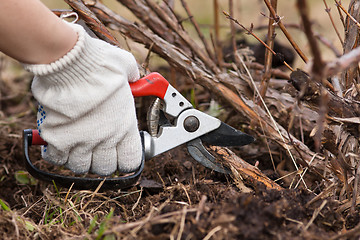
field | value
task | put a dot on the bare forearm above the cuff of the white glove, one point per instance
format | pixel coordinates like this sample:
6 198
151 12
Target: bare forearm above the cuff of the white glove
31 33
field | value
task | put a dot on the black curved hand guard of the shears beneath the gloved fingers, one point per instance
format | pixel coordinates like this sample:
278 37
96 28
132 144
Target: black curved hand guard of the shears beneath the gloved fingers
80 182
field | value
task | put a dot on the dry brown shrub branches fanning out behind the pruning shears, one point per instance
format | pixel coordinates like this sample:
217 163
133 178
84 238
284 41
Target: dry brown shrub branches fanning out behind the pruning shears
314 122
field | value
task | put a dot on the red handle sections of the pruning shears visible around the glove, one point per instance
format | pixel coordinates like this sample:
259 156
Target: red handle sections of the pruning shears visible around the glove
151 85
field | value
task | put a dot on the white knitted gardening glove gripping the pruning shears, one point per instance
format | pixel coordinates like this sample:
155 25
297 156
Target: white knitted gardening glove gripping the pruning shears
87 113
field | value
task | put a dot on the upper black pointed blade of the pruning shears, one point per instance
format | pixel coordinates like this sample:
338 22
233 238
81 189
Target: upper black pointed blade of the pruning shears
227 136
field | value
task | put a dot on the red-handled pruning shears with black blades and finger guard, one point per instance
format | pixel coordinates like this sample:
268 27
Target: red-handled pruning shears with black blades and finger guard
187 126
